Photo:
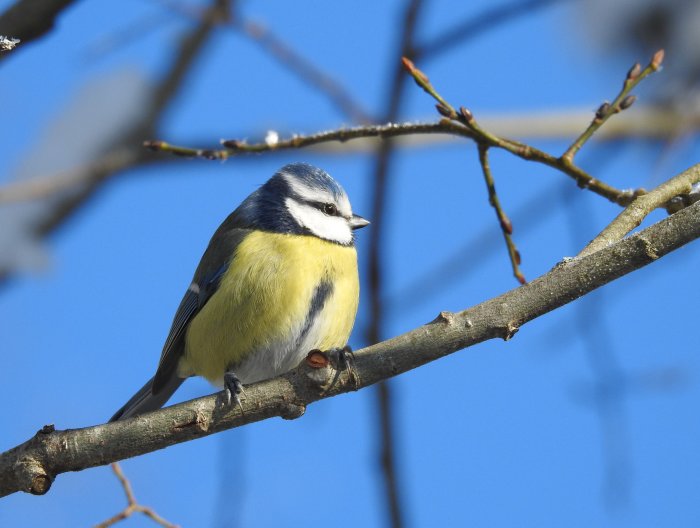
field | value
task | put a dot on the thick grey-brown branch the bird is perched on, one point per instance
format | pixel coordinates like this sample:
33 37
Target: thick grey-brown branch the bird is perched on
32 466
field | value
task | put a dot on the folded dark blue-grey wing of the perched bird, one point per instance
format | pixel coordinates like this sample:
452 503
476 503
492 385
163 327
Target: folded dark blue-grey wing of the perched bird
215 261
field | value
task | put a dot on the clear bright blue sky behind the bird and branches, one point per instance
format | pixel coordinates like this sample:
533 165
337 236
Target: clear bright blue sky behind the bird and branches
588 417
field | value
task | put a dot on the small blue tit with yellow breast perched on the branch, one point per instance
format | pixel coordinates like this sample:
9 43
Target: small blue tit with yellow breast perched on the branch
278 279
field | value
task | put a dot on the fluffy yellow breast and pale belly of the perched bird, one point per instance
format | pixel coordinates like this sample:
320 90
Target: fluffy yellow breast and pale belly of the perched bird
254 322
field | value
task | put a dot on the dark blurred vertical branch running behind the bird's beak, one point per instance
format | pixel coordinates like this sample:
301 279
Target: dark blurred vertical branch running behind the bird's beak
376 265
